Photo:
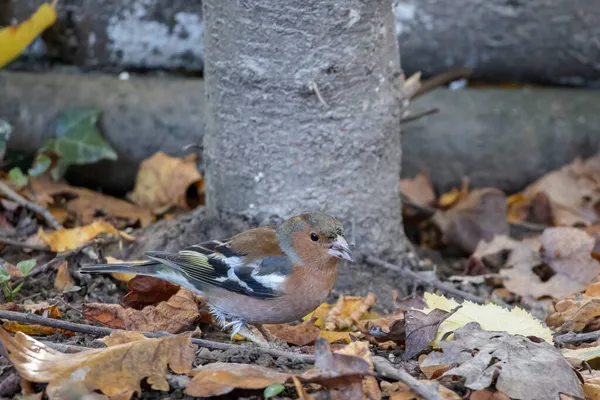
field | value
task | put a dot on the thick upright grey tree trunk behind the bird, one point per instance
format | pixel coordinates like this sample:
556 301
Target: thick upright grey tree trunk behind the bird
303 113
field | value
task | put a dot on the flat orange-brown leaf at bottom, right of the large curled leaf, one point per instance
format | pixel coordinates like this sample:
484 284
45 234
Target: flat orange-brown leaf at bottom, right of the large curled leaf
219 378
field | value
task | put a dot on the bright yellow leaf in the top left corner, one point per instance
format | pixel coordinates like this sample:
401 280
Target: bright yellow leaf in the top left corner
14 39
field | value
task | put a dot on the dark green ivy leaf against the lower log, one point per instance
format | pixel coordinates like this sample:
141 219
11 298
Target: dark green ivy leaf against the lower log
78 140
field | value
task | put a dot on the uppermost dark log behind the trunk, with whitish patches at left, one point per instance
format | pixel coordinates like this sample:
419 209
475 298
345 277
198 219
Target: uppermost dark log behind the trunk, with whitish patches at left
511 40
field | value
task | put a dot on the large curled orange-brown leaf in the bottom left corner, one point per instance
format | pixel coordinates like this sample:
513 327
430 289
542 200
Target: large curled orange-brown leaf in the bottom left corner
116 370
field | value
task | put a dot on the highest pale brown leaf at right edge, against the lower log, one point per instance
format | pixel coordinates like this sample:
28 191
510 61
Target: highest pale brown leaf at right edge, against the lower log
573 192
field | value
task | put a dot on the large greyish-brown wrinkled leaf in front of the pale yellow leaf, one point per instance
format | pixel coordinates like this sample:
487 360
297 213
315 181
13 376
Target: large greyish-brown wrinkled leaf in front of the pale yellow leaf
511 362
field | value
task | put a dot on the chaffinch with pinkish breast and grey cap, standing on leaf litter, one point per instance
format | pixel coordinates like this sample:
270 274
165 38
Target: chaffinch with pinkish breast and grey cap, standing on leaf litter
271 274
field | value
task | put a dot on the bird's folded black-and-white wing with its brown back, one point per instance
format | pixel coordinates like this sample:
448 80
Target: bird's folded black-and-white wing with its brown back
251 263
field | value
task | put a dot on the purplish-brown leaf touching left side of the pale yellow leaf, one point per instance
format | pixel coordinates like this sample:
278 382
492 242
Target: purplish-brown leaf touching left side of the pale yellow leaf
421 329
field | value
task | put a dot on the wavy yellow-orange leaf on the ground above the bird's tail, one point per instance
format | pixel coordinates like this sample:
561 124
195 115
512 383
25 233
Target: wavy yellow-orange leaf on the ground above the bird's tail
69 239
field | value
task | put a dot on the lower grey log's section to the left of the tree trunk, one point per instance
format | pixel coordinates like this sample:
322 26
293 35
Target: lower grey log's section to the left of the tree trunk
139 117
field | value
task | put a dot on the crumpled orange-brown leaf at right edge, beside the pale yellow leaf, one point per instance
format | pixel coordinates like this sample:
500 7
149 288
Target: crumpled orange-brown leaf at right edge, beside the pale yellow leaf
574 313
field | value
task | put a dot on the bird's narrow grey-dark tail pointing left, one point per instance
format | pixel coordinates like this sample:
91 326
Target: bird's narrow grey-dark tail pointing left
149 268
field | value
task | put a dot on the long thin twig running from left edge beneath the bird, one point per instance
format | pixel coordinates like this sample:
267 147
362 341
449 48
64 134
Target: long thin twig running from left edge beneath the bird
102 331
